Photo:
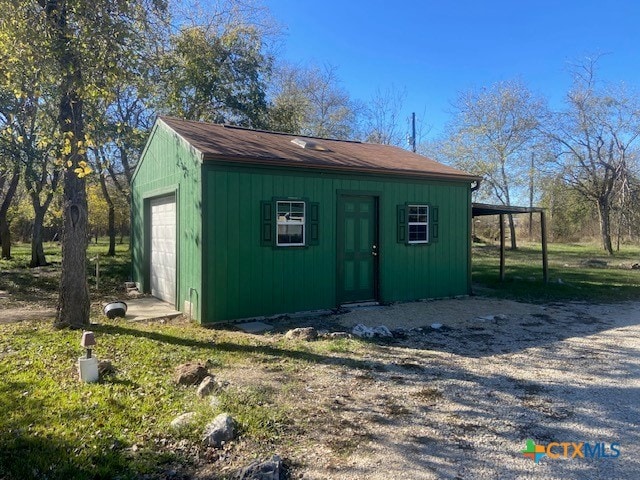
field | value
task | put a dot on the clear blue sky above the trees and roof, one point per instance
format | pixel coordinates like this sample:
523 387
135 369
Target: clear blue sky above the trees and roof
435 49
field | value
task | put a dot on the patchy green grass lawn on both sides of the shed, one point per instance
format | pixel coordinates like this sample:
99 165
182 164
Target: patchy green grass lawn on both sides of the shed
52 426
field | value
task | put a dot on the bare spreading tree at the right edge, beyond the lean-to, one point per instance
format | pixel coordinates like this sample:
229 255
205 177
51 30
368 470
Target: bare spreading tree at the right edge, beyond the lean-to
595 135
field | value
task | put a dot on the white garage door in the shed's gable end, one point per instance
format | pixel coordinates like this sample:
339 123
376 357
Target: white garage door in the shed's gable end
163 248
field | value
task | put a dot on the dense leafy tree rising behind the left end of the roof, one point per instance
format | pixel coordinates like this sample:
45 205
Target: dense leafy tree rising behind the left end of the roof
208 75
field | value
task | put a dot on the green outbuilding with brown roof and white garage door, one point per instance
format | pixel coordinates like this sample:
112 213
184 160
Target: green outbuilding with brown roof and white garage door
230 223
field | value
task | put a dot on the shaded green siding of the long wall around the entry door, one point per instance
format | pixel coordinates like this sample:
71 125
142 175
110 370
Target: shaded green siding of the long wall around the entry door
244 278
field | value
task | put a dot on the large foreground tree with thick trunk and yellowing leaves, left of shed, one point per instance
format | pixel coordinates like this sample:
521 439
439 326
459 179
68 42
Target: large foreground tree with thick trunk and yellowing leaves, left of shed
80 47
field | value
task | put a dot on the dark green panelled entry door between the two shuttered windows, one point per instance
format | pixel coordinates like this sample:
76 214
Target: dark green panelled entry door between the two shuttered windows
357 248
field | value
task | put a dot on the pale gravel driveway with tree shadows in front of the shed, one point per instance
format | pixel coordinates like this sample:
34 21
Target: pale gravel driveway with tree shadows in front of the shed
462 400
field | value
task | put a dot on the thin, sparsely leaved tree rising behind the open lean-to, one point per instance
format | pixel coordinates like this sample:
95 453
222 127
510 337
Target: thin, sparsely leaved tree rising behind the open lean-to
493 133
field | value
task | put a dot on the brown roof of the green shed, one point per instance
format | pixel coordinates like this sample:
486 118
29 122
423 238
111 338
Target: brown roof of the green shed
223 142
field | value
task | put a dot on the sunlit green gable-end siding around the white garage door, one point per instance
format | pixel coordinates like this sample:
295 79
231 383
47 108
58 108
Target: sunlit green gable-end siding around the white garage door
169 165
